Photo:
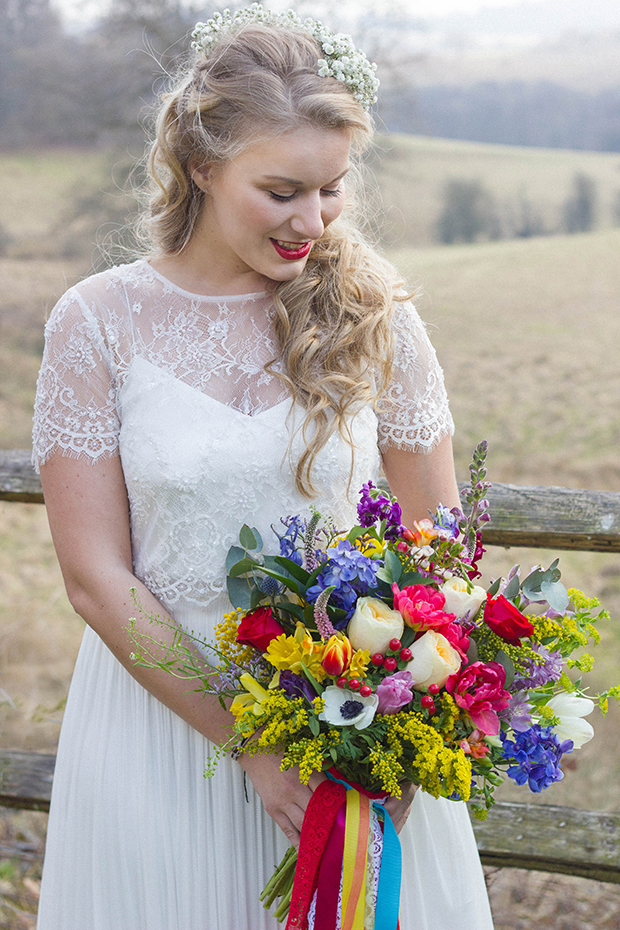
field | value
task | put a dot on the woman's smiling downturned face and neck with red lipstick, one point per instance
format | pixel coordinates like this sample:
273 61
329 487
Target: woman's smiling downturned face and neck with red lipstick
263 210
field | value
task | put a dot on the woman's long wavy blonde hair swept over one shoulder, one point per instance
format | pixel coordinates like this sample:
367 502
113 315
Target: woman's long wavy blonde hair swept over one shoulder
333 322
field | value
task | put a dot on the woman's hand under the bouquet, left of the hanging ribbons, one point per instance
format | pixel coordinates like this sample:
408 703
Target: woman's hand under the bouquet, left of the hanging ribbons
284 797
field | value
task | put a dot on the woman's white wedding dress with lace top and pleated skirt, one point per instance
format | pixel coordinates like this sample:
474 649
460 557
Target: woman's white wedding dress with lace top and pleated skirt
175 384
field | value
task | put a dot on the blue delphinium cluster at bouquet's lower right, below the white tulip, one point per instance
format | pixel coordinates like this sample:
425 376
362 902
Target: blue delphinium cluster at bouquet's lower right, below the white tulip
537 753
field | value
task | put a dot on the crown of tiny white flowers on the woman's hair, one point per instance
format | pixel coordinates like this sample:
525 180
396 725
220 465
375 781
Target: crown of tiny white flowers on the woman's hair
342 60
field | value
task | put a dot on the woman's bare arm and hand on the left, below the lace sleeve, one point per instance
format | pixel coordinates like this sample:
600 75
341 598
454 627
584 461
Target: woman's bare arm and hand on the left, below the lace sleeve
88 513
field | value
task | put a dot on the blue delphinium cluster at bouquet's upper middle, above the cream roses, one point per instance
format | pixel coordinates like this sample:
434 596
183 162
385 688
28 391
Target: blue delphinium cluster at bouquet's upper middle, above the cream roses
350 573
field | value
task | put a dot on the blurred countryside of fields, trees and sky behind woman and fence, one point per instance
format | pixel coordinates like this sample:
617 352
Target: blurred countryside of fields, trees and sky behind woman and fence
497 163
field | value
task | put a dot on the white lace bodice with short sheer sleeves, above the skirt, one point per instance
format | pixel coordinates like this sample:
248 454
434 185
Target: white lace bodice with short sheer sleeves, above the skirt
176 384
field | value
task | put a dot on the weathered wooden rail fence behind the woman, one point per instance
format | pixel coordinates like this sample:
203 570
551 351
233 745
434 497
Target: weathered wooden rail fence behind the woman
526 836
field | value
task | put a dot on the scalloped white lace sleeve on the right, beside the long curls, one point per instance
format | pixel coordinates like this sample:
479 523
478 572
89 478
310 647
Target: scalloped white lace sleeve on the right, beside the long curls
414 412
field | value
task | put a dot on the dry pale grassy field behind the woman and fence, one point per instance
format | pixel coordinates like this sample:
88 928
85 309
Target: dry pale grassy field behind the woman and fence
527 332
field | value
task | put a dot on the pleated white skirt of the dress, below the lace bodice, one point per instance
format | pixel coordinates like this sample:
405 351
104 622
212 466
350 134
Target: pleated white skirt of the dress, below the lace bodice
139 840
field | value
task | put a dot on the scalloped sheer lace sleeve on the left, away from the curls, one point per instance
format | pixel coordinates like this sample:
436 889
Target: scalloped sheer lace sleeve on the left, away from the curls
75 408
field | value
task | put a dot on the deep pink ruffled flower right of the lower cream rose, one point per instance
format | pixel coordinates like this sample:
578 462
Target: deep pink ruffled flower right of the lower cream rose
479 690
